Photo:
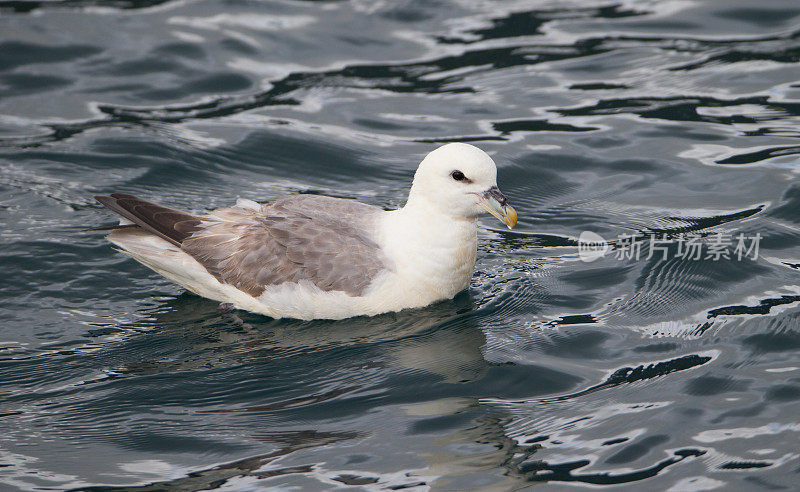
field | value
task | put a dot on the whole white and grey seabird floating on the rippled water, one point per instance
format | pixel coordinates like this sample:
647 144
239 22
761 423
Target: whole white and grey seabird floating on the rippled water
311 257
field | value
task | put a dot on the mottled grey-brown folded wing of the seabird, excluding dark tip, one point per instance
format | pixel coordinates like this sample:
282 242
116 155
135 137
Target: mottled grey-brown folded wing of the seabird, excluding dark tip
326 241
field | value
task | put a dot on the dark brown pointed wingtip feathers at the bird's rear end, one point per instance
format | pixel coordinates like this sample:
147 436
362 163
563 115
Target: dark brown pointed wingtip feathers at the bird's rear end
172 225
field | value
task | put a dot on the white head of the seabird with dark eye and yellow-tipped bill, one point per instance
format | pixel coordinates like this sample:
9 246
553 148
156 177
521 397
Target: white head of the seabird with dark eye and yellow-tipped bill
460 180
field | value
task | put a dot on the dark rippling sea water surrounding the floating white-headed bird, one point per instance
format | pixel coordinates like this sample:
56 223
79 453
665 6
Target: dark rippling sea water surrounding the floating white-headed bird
668 120
